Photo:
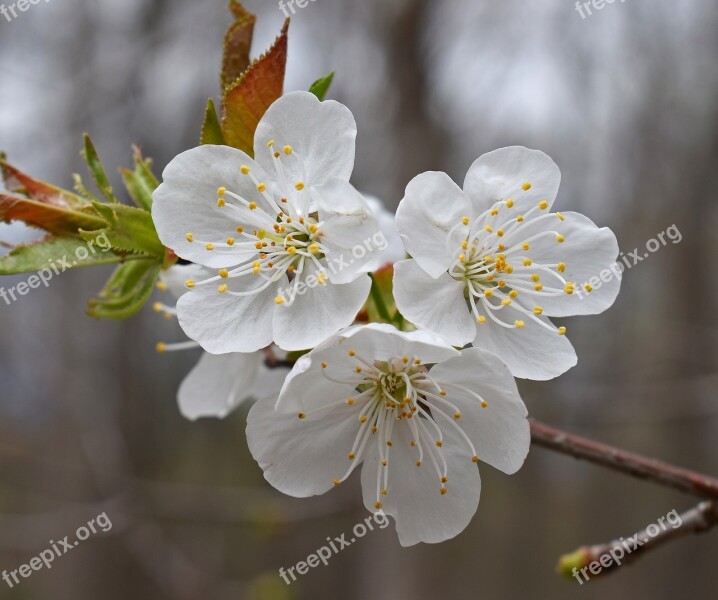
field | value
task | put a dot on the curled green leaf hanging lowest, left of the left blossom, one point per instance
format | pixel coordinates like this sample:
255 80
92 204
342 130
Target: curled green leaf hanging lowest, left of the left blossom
127 290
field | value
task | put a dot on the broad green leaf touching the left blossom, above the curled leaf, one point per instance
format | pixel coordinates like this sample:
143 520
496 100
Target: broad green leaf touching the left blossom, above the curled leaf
129 230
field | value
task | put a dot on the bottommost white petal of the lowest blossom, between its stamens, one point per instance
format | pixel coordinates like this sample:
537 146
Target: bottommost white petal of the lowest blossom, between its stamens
421 512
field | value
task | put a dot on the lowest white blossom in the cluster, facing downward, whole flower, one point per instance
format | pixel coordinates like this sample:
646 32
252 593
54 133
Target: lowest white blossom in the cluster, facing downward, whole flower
413 411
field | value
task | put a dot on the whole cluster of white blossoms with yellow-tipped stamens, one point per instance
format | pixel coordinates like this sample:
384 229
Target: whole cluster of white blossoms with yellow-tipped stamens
415 402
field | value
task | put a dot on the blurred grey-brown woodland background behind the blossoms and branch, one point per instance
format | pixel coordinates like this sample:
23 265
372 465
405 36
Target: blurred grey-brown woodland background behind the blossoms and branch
623 100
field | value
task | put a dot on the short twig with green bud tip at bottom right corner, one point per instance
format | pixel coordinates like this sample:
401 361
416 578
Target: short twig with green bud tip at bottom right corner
600 559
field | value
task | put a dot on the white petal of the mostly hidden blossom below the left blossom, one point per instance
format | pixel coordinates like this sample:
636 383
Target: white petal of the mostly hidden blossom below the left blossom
218 384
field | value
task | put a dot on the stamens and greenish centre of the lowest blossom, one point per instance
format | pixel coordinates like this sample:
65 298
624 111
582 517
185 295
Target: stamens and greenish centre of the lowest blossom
400 392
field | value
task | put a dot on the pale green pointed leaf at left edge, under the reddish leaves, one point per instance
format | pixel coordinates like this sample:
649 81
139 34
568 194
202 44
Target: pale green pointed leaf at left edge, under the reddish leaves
59 252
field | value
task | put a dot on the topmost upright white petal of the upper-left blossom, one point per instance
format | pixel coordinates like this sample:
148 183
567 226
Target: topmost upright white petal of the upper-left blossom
321 134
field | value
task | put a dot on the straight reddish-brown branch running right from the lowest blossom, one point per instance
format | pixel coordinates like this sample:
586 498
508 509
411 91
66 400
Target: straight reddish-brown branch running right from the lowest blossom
642 467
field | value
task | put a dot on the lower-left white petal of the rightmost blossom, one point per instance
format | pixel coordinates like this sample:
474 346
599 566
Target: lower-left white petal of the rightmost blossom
435 304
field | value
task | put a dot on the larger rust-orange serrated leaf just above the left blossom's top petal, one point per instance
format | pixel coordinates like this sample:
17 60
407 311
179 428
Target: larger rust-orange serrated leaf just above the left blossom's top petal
245 101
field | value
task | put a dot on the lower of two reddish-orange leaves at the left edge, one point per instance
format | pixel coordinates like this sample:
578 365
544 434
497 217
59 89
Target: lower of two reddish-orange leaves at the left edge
50 217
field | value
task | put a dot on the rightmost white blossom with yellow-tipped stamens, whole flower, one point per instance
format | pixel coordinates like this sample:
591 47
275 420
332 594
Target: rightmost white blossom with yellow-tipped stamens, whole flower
490 263
